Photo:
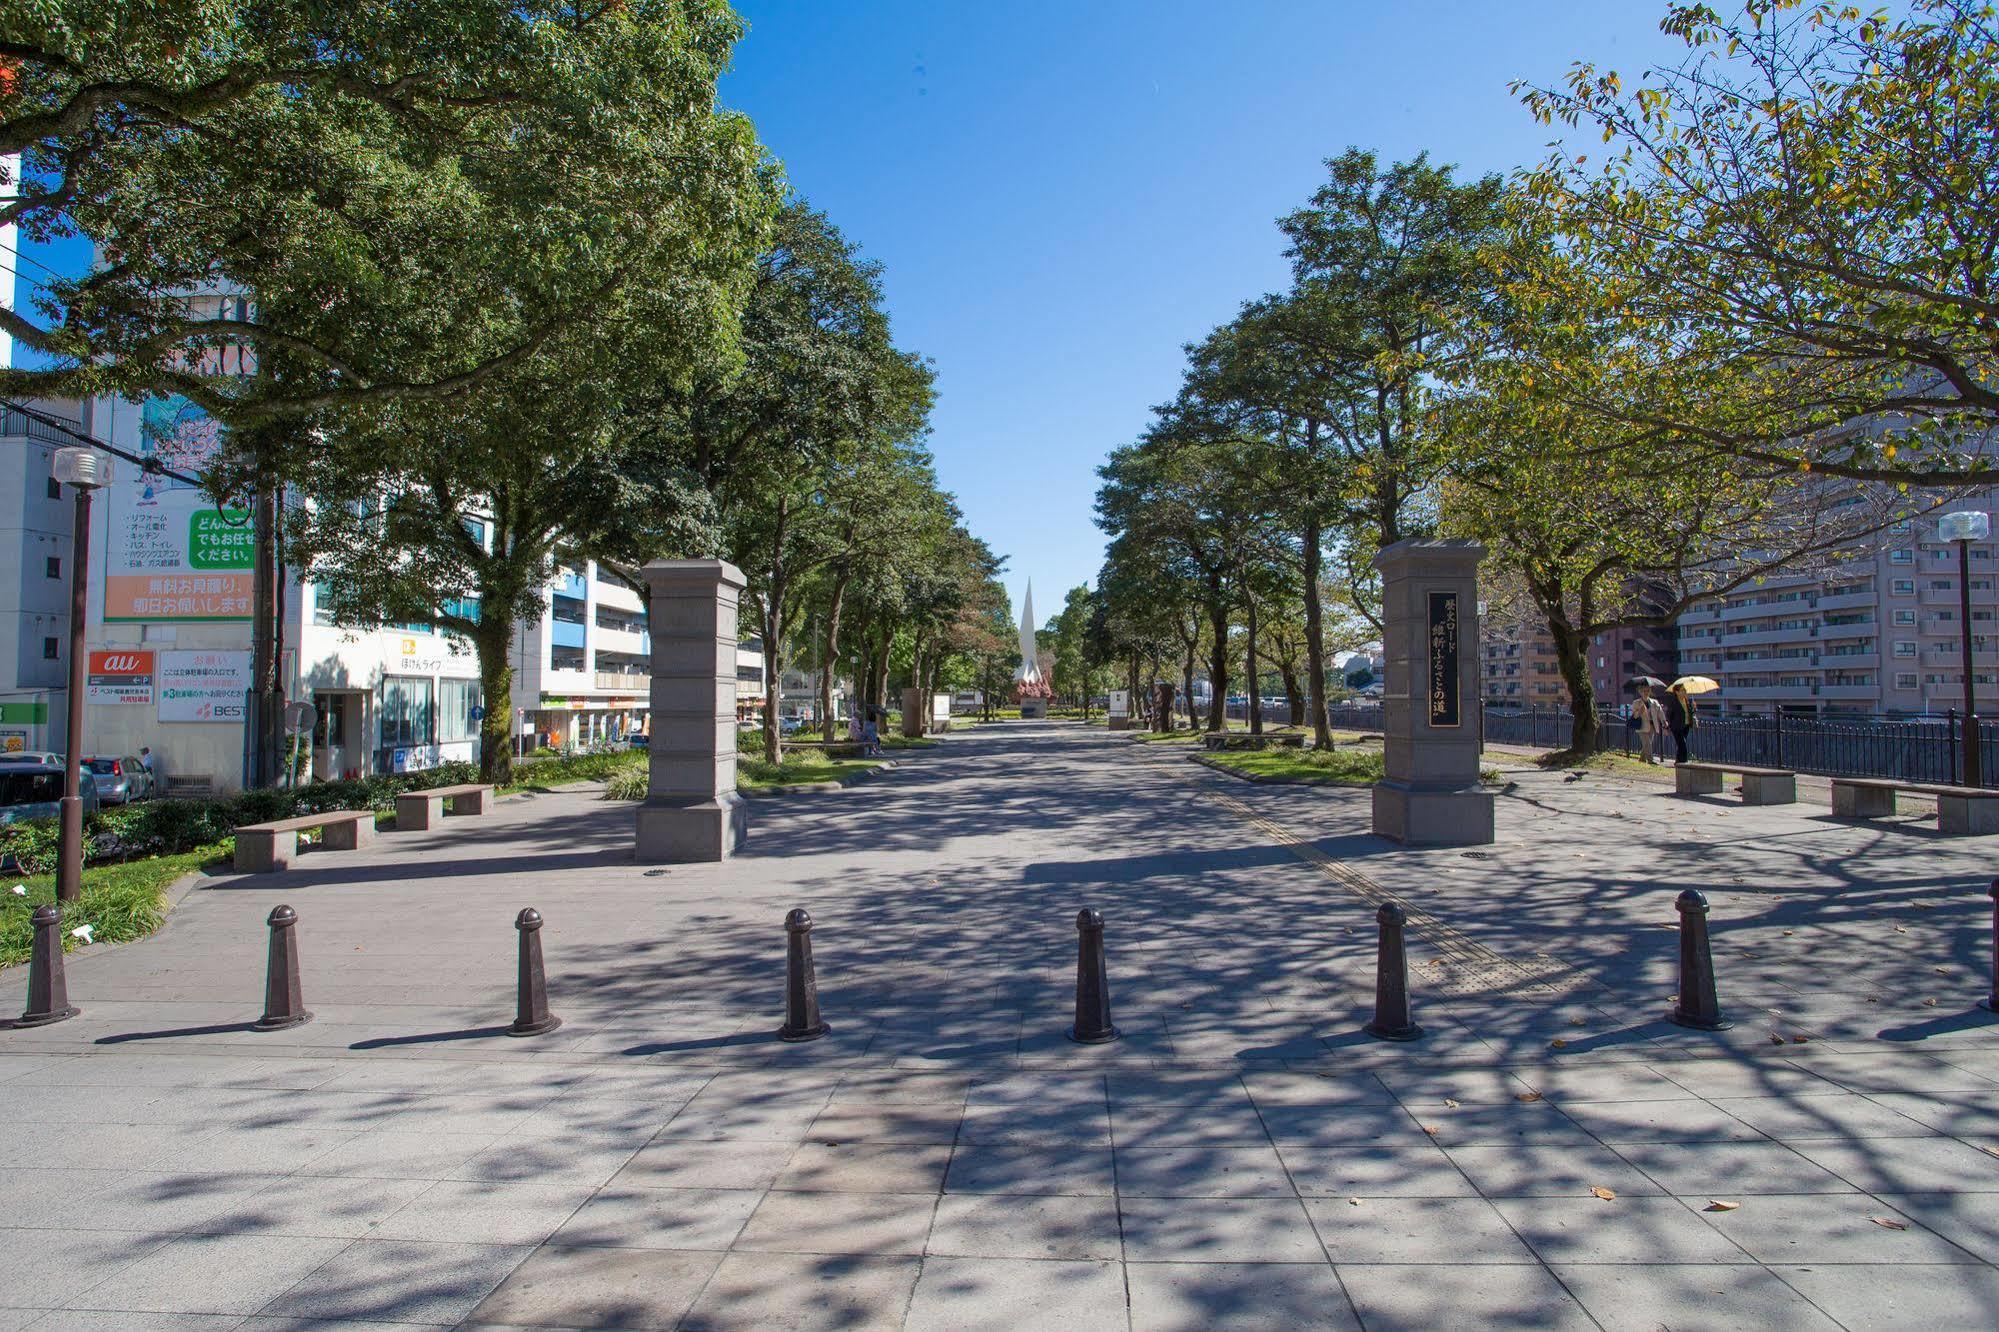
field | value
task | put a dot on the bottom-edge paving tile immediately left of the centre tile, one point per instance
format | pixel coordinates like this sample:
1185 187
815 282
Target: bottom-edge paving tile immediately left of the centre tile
803 1293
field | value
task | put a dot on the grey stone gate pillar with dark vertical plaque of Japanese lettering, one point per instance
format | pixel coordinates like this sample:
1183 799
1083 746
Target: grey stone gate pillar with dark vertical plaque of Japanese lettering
1432 793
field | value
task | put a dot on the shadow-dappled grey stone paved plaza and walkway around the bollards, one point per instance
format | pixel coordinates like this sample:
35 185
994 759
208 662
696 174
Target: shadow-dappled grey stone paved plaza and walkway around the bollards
1550 1155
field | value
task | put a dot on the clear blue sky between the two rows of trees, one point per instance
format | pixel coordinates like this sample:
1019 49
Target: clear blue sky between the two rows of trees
1062 195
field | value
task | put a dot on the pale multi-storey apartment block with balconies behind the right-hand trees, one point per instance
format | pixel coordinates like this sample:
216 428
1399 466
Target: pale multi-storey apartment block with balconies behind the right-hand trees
1878 635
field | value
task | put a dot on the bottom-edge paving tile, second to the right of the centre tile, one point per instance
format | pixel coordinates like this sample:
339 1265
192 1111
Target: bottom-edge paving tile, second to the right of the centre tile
1424 1299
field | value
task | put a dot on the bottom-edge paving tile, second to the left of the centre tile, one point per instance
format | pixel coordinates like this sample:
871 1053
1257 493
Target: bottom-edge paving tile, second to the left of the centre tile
599 1289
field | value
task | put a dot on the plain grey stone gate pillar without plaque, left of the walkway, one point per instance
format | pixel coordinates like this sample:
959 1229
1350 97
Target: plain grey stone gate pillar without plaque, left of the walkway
693 811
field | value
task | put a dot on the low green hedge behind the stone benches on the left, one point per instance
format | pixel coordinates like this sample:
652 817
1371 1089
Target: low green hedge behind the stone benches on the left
173 827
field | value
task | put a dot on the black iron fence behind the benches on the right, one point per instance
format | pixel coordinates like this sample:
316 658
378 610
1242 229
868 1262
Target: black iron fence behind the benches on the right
1924 749
